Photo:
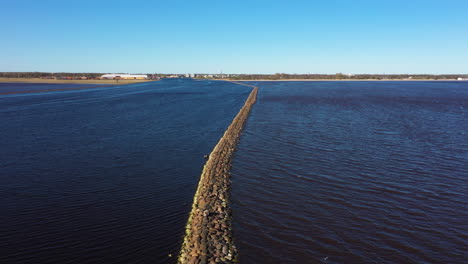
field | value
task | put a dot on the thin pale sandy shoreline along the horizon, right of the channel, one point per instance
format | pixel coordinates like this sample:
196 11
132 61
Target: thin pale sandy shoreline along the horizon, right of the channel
335 80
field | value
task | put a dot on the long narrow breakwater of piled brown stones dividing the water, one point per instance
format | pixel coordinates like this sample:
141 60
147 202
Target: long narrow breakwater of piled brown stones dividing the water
208 237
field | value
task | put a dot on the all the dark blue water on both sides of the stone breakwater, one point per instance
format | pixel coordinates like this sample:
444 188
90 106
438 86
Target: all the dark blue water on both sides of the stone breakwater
326 172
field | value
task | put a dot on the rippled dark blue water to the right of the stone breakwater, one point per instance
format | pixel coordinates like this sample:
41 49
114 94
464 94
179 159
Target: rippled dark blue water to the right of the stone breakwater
353 172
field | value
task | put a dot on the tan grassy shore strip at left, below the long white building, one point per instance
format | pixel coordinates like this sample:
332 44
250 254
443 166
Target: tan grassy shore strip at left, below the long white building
38 80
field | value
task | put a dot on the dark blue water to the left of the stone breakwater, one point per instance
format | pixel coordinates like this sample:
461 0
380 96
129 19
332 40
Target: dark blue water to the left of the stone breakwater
105 175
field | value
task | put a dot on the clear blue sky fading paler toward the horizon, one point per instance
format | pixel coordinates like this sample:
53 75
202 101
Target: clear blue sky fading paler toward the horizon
255 36
